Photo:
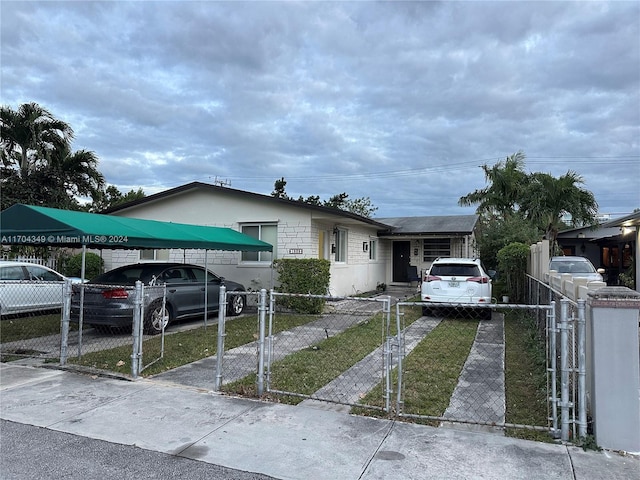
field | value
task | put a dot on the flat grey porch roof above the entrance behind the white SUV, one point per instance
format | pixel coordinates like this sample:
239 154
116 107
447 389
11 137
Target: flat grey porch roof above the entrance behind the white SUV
436 225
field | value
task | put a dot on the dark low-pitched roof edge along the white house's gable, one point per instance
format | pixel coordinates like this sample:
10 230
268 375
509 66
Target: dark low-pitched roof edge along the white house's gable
327 211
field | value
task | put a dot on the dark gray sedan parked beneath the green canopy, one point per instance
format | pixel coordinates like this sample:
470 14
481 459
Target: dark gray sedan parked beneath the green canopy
108 298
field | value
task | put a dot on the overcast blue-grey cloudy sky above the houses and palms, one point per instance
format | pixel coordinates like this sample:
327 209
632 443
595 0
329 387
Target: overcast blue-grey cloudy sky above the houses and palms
400 102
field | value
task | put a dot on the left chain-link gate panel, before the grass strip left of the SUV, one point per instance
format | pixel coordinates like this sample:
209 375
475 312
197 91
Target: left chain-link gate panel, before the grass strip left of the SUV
345 352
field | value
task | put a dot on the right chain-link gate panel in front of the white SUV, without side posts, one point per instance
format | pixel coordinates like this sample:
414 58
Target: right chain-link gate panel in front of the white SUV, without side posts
466 368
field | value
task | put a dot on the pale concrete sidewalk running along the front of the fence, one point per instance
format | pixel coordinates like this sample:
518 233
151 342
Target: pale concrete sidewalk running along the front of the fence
283 441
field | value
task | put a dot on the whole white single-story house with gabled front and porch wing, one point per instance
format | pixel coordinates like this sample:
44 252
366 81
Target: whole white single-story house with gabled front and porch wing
364 252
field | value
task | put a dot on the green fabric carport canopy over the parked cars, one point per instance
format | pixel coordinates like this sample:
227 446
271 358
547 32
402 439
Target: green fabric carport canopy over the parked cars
30 225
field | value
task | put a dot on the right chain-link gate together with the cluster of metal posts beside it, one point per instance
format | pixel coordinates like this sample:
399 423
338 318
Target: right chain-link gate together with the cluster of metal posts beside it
459 372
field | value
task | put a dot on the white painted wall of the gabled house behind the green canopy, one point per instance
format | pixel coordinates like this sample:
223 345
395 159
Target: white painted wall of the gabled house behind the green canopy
298 236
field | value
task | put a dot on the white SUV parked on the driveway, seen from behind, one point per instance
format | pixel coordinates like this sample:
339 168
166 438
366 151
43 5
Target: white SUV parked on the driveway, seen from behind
456 280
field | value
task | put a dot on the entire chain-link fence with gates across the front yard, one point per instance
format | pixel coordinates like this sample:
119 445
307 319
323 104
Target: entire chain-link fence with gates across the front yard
522 368
